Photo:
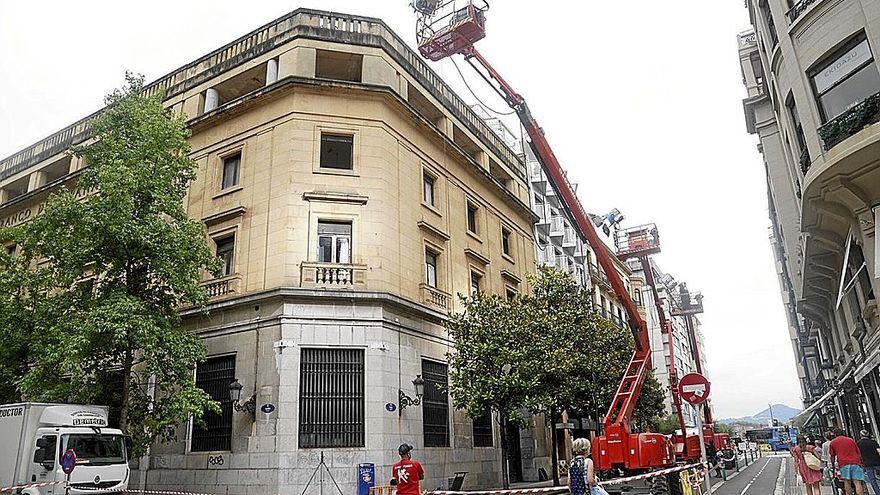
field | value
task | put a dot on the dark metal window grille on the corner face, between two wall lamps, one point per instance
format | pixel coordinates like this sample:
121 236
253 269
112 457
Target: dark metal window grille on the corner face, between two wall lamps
331 410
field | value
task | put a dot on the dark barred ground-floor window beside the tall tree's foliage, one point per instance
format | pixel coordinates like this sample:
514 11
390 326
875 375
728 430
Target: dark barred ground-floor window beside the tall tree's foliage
214 376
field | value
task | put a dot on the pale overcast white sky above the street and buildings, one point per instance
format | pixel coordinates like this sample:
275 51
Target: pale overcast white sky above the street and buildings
641 102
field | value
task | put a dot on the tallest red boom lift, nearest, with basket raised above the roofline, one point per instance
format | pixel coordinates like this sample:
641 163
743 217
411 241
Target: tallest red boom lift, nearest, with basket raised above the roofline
618 448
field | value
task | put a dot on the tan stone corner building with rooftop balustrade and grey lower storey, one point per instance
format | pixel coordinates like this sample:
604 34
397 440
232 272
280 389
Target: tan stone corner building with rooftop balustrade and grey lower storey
352 195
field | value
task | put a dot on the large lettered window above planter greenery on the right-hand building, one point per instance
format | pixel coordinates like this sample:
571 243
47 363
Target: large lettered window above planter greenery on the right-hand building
846 79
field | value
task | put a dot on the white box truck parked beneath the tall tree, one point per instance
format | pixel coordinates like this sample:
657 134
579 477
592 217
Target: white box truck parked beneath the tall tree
34 436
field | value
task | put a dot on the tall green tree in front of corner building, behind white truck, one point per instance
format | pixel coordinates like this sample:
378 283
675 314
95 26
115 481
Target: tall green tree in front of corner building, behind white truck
125 260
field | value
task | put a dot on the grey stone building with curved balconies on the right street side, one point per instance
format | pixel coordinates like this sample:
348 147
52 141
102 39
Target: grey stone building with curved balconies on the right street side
813 99
